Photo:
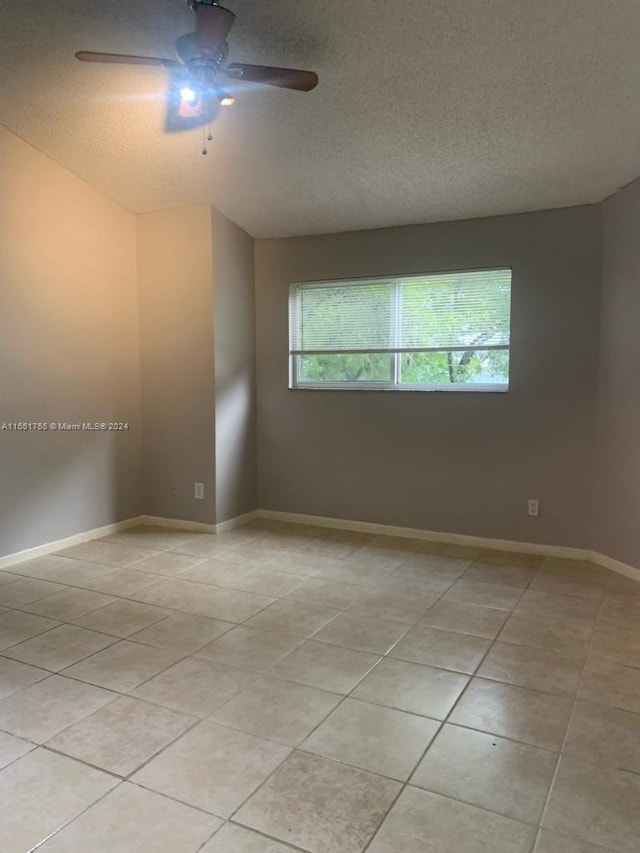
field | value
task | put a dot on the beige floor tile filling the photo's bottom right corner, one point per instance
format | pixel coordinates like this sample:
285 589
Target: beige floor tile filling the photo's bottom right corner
595 804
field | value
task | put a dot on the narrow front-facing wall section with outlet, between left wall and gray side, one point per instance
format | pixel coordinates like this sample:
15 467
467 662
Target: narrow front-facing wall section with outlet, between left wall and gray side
177 362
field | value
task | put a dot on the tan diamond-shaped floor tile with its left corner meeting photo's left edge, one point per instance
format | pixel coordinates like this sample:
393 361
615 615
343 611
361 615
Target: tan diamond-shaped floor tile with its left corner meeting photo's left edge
59 648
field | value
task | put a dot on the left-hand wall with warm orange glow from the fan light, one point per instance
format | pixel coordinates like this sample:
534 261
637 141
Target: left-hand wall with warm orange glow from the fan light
68 351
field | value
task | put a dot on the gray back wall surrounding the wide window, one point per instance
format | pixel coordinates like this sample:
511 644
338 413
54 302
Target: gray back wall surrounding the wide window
462 463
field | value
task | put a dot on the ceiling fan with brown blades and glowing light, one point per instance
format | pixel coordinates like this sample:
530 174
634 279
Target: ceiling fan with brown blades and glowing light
202 59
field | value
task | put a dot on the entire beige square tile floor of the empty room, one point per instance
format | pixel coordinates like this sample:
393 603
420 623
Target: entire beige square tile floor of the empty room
281 687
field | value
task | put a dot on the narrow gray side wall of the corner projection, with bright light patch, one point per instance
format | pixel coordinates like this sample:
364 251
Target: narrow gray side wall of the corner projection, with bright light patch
235 369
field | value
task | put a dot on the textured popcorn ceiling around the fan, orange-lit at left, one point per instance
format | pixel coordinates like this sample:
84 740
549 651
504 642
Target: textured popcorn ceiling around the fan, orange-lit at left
426 110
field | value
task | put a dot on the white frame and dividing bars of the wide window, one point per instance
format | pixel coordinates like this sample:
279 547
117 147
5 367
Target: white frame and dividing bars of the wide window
295 384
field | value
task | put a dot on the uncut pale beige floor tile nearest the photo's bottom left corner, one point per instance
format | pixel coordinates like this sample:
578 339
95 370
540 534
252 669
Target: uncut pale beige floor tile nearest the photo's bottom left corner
121 736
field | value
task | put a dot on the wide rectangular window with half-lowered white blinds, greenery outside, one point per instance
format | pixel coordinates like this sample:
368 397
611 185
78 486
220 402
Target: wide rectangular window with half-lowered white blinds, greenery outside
443 332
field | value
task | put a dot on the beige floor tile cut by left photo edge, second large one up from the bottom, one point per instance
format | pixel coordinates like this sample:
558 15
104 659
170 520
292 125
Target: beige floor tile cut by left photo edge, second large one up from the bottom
41 711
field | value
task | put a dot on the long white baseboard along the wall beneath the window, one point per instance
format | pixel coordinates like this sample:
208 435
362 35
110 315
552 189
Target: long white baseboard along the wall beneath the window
430 535
